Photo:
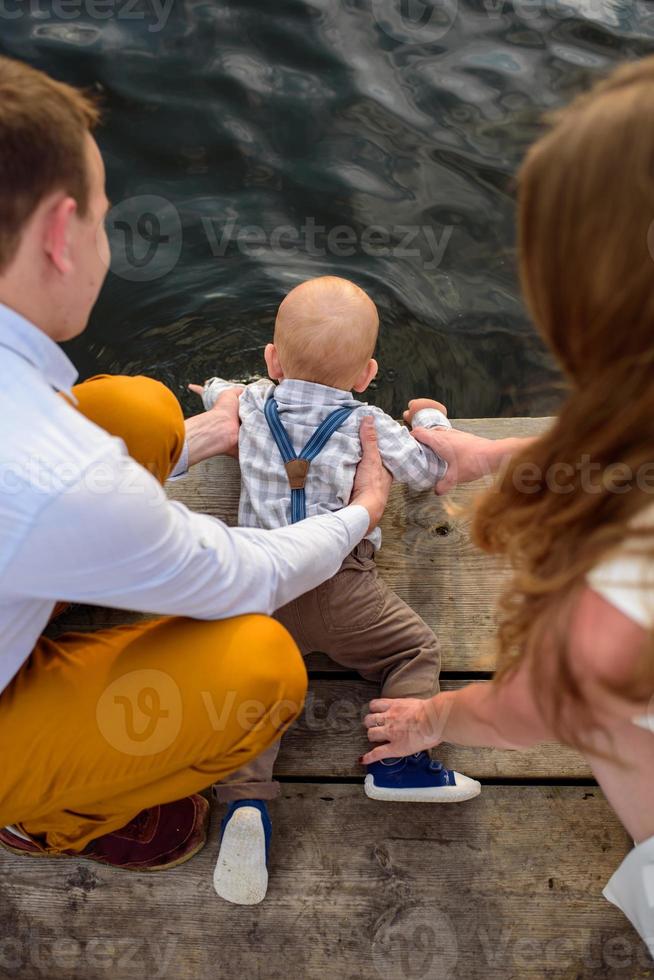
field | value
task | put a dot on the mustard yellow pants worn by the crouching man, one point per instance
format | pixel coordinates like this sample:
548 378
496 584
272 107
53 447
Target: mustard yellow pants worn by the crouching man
98 726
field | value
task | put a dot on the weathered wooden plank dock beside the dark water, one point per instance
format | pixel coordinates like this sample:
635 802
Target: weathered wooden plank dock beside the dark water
505 886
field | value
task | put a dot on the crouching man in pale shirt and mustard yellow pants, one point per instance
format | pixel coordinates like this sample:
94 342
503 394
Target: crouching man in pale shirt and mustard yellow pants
106 737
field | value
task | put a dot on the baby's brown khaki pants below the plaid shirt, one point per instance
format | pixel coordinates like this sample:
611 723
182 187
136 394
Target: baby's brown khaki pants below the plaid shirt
363 625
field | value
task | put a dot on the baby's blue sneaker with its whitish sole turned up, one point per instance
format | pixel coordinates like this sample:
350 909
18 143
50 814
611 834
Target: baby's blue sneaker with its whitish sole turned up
241 874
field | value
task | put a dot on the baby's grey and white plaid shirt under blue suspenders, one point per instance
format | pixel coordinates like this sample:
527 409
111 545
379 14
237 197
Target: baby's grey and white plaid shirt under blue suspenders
265 493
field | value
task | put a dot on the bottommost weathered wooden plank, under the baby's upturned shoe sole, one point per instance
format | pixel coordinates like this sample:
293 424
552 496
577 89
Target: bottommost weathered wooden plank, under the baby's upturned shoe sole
501 888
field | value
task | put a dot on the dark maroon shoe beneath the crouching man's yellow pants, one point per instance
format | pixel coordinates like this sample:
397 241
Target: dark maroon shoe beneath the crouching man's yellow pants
156 839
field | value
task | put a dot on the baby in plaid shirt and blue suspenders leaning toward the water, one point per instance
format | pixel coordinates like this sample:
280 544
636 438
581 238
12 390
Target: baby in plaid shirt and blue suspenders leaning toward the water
299 448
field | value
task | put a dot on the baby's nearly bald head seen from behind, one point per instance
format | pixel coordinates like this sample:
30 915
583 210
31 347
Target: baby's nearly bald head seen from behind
325 332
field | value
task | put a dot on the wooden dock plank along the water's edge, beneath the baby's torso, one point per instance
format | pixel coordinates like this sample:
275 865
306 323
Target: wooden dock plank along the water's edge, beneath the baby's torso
427 555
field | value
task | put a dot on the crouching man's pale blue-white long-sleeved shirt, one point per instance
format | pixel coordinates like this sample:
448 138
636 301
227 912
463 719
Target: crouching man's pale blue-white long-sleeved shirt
83 522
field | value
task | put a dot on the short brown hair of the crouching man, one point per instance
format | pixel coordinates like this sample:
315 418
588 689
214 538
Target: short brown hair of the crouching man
43 128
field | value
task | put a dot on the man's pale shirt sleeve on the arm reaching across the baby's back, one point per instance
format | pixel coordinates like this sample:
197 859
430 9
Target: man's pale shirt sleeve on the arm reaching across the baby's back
115 539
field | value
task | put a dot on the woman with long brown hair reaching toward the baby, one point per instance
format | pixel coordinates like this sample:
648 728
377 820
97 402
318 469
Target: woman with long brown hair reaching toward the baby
574 510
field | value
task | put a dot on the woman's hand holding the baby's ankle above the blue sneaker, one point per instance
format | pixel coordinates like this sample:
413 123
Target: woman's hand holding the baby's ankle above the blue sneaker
405 725
